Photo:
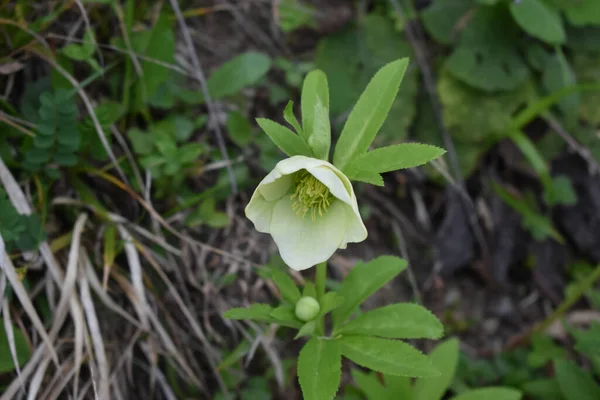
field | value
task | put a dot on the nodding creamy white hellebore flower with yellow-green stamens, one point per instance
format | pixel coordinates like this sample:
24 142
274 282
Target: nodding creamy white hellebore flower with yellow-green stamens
309 208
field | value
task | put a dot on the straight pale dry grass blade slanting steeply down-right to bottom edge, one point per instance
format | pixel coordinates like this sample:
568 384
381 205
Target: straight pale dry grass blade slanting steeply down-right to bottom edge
95 333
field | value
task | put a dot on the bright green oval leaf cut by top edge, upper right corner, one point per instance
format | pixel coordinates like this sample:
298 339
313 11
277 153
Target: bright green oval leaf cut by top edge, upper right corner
540 19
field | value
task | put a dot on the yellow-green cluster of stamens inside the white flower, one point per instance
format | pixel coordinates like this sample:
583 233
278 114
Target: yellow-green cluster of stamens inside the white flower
310 195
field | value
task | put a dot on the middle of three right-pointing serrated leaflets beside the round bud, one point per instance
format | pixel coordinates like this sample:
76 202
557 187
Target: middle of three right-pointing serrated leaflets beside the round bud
396 321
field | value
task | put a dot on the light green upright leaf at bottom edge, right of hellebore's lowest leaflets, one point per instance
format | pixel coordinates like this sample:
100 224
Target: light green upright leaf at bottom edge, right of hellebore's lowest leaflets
445 359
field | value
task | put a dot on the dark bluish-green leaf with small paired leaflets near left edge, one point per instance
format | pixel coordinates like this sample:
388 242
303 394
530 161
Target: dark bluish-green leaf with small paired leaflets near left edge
57 136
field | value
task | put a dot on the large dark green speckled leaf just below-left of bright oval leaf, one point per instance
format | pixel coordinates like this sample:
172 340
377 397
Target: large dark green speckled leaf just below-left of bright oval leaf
488 56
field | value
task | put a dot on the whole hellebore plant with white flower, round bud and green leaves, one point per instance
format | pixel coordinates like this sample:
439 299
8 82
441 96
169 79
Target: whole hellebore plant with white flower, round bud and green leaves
309 207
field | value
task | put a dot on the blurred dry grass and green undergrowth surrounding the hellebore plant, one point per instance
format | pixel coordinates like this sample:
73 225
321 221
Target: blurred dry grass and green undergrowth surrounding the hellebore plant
129 148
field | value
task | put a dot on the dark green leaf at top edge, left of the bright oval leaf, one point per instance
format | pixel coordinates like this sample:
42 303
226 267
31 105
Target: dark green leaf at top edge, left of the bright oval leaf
442 19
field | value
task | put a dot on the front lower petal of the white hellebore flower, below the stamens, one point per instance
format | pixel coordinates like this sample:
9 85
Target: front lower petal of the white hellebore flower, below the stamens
303 242
